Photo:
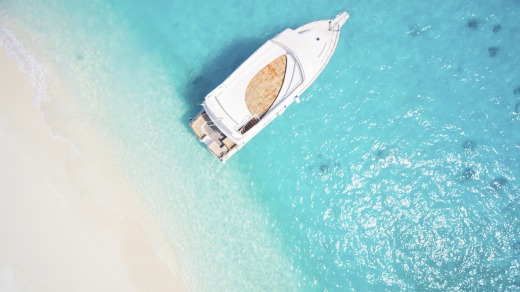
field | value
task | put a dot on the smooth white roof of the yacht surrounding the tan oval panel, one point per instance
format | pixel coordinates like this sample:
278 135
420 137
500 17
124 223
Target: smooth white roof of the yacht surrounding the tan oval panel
226 105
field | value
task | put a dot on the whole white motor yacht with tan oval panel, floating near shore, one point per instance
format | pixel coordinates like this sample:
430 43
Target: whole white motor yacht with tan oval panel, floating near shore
265 85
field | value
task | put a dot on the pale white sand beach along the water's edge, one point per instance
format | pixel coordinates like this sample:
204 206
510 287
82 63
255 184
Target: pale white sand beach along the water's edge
58 232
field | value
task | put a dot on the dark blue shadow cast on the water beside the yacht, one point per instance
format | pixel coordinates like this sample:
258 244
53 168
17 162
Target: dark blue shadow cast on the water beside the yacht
215 72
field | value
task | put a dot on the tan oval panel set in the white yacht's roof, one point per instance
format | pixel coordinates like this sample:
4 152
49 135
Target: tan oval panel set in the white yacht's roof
263 89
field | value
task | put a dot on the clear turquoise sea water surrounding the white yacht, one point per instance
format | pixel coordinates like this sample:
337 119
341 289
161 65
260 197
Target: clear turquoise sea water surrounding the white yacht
399 170
